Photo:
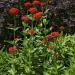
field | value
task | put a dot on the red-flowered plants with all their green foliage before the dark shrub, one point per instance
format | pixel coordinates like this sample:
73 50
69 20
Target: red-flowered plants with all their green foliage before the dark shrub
32 44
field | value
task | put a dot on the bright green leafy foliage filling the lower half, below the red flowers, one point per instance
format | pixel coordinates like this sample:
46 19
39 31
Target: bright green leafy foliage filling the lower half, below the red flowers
37 59
